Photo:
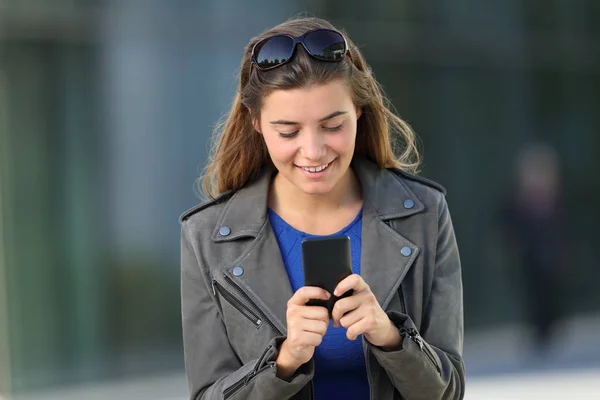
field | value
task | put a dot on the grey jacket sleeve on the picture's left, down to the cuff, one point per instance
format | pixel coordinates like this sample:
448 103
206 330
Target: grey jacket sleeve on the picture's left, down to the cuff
213 369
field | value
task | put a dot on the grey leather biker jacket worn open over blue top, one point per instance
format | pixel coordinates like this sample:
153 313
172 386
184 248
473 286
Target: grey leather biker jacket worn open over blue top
235 291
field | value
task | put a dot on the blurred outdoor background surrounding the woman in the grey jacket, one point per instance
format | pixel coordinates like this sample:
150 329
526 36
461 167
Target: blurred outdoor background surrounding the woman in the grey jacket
106 109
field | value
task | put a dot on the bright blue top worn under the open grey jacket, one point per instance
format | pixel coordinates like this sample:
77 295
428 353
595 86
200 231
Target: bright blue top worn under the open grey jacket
340 371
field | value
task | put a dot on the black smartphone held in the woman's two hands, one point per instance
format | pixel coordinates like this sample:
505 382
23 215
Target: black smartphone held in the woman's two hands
326 262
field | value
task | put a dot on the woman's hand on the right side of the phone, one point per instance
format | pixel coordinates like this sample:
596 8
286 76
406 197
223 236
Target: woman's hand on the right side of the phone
362 314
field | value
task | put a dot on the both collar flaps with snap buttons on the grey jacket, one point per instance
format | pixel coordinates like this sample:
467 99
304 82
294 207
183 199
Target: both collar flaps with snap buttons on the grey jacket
384 196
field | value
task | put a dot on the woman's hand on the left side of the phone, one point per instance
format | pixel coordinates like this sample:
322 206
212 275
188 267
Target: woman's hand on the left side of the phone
306 326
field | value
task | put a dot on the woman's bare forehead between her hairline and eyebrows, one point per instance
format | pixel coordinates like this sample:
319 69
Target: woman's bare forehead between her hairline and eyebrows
312 103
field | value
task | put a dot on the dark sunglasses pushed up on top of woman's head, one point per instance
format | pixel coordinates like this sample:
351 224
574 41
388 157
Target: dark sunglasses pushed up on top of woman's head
322 44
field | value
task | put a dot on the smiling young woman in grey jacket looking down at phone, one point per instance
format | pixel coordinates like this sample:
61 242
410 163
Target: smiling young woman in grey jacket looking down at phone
306 152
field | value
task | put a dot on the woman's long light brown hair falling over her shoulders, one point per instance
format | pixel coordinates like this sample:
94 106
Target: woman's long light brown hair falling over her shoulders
238 151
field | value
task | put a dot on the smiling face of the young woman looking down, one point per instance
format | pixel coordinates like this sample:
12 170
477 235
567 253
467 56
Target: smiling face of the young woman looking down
310 134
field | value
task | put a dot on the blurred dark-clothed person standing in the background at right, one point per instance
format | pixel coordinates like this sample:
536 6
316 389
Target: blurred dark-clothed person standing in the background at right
534 224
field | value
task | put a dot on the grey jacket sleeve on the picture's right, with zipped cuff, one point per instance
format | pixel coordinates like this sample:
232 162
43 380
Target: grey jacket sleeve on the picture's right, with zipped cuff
429 364
